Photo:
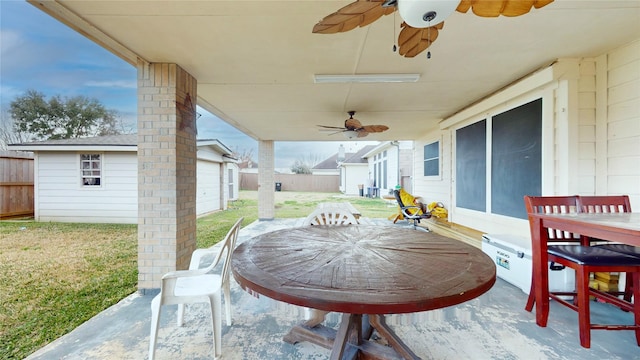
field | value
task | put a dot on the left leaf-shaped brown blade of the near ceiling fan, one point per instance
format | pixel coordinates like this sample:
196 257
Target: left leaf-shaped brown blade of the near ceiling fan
358 13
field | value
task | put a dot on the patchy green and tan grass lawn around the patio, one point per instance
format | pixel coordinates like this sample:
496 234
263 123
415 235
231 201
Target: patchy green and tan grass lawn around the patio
55 276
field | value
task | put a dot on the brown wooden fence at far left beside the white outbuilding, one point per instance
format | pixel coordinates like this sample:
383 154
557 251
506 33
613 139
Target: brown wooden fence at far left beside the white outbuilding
16 184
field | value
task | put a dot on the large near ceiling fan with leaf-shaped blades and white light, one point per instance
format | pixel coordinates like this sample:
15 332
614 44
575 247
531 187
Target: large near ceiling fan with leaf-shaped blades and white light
422 18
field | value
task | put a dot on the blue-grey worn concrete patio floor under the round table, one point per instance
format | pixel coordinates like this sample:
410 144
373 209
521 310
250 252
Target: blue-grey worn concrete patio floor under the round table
492 326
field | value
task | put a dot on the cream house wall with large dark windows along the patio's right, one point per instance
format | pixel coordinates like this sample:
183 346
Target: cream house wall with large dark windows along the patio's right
570 128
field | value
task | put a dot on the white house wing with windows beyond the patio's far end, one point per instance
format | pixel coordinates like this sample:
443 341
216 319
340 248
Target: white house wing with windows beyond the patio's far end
390 164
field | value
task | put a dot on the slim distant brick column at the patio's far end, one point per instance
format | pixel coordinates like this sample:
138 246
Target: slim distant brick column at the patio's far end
266 180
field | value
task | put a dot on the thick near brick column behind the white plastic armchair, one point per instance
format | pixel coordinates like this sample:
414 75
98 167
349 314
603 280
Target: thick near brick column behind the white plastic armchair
166 171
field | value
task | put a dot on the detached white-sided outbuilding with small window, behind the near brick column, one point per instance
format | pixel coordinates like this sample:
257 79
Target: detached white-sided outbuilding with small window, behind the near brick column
96 179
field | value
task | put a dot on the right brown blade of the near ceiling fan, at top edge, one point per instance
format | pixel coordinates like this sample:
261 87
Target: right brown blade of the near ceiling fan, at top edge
500 7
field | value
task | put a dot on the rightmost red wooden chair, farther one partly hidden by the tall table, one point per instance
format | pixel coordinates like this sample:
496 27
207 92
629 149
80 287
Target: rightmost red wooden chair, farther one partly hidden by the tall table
612 204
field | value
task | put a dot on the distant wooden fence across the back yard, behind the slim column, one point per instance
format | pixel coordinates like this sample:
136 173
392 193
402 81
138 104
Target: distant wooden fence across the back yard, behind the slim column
295 182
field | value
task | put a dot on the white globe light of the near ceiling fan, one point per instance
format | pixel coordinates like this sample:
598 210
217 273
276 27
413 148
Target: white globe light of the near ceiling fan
425 13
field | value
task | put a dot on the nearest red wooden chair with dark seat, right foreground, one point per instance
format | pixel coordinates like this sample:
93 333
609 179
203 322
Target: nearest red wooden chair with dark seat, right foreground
583 259
